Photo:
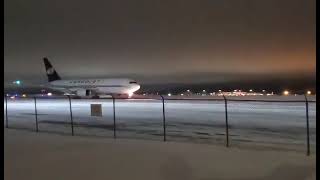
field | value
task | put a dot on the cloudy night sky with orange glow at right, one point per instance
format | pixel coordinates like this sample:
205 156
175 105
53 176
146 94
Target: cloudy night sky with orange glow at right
165 41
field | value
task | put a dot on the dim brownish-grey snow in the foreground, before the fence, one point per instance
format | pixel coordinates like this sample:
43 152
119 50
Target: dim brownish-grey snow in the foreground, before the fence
32 156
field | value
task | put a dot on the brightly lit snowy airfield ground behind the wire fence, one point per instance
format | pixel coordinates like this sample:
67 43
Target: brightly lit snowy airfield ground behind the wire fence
276 123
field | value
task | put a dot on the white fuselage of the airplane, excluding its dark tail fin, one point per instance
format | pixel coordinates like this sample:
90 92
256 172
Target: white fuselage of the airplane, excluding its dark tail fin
98 86
